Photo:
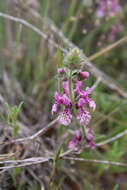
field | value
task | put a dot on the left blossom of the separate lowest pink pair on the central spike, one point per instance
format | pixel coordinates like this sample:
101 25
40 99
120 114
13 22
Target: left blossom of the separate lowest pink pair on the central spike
76 138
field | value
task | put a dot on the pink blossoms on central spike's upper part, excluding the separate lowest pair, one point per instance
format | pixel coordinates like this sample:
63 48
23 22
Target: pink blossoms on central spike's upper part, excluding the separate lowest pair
81 101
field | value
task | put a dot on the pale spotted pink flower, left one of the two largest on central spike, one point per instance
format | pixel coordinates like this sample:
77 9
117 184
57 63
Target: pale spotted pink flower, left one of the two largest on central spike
65 117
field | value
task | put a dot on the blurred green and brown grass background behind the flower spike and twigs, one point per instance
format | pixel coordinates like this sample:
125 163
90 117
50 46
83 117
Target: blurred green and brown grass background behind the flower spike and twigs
28 65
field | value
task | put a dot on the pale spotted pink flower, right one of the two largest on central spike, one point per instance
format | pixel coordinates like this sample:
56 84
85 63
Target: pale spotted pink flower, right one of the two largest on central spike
83 116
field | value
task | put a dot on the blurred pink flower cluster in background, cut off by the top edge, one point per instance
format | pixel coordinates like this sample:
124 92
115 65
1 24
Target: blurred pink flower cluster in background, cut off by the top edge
107 8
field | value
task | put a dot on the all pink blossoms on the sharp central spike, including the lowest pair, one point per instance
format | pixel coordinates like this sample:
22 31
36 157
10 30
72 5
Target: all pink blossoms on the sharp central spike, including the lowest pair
74 102
